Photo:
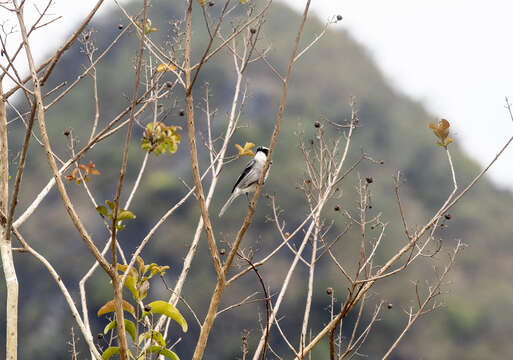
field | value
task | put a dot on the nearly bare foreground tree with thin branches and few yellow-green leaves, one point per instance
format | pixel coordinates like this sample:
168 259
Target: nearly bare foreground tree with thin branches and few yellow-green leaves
234 32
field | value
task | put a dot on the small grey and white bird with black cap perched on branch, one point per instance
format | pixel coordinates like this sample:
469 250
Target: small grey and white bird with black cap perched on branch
248 180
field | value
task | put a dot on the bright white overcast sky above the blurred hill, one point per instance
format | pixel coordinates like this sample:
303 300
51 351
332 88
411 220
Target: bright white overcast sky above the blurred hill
453 55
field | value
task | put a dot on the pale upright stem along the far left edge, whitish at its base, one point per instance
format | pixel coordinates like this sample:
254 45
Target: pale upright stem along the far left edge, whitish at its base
11 280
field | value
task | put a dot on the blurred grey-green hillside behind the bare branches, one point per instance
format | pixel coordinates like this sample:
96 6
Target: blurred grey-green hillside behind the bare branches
393 128
